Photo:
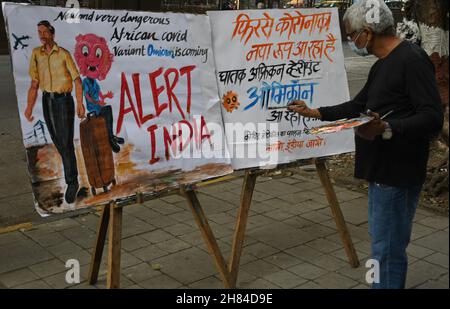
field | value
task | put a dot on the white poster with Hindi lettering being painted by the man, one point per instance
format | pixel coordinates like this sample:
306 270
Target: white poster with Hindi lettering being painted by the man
264 60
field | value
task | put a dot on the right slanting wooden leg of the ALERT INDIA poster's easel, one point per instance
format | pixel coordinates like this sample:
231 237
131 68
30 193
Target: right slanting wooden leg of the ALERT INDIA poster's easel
208 236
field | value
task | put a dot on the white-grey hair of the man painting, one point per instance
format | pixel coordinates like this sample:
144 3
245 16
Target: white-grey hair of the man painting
374 14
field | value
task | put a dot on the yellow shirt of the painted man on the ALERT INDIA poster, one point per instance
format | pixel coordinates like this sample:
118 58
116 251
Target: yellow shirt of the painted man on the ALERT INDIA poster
55 72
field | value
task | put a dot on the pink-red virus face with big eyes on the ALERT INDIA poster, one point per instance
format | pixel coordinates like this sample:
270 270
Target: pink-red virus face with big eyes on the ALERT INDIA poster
93 56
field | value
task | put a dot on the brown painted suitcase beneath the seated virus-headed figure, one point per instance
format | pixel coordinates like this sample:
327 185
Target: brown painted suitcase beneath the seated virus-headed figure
97 152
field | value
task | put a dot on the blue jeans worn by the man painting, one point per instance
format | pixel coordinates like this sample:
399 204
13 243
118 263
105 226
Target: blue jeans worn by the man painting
391 212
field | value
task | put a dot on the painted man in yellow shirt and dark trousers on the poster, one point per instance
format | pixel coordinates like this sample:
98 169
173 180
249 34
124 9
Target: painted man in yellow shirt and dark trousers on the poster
53 70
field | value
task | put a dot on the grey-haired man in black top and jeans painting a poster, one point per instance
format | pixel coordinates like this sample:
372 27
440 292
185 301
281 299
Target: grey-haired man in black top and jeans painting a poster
391 152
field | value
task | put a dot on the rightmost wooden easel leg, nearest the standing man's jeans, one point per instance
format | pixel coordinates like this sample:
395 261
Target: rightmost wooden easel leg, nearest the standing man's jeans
337 213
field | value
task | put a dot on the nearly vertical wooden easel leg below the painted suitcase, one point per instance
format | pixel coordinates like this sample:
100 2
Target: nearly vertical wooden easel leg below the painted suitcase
114 246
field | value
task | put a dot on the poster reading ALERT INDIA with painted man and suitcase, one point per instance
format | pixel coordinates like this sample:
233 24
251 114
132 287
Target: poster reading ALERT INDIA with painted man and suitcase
114 102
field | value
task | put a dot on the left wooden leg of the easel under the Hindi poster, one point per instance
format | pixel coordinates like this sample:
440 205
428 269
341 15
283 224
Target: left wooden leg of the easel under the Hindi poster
241 223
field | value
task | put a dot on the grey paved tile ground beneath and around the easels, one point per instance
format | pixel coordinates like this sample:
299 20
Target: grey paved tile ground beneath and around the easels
291 242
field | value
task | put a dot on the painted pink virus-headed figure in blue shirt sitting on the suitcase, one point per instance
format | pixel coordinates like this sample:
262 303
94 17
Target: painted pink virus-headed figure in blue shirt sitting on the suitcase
94 60
